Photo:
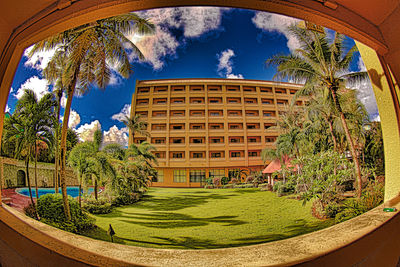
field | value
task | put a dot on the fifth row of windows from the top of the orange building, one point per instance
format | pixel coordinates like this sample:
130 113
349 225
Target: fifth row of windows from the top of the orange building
202 140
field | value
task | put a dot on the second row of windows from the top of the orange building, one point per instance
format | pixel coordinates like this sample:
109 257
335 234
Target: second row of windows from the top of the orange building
213 100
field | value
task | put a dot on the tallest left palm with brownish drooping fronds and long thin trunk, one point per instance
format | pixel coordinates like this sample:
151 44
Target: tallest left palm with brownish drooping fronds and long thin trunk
90 50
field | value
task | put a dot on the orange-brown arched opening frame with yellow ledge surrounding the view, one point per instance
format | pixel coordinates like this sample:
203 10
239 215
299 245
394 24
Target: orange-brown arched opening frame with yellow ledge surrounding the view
360 240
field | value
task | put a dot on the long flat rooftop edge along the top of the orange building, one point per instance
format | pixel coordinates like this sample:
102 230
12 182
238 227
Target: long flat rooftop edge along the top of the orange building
155 81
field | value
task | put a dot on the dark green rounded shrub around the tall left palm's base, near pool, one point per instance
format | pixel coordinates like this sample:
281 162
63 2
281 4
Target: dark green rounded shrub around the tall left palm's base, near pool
51 211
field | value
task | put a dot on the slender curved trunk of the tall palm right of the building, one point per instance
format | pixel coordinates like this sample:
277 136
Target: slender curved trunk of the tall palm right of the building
351 143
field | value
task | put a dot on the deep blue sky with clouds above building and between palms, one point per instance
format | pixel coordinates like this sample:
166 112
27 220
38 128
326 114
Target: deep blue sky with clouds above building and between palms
190 42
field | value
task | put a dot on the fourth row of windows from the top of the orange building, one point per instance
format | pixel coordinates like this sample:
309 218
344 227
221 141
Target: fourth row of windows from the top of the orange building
211 126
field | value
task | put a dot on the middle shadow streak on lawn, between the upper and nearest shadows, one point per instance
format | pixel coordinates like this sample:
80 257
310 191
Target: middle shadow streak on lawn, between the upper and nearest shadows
168 220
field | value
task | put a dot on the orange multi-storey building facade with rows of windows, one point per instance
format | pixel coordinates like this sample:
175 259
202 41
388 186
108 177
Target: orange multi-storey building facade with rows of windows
205 128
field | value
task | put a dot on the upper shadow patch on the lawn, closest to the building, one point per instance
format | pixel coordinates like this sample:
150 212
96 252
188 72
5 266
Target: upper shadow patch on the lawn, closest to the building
177 202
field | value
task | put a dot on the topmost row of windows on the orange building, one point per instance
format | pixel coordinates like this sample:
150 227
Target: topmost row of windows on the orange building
216 88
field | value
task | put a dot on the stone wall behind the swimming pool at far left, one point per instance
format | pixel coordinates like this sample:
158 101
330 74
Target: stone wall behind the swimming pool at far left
11 169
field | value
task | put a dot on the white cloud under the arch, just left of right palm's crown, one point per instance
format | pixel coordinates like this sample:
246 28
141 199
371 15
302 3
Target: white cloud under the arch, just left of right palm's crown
277 23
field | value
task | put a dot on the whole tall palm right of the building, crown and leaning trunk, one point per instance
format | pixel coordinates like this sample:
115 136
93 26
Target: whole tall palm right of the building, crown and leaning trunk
322 64
